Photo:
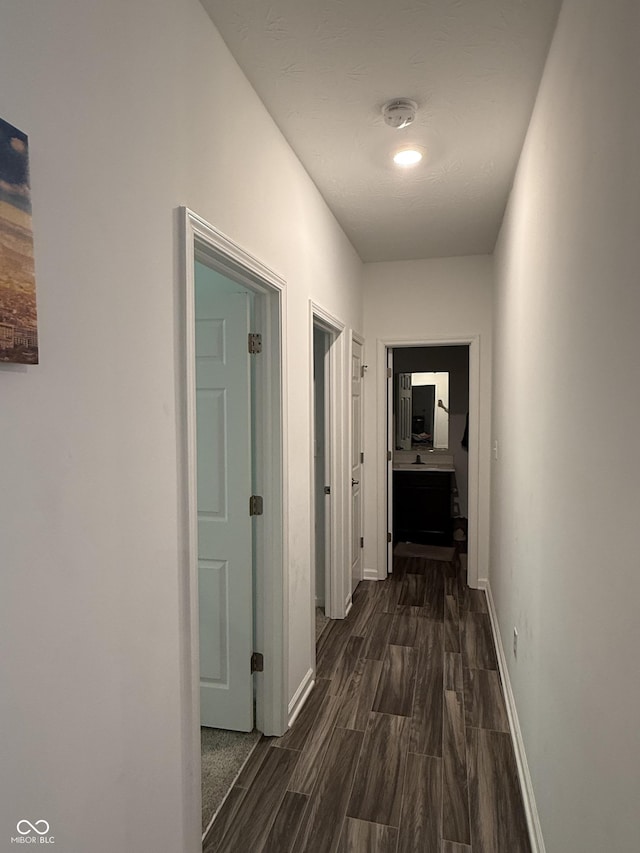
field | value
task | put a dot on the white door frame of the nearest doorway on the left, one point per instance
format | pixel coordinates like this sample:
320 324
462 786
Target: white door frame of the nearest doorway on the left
214 249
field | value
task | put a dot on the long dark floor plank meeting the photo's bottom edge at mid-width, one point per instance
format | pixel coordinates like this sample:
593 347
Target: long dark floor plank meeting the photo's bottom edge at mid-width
322 822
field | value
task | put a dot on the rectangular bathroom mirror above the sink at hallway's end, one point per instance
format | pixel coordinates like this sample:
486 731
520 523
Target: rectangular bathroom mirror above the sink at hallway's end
421 411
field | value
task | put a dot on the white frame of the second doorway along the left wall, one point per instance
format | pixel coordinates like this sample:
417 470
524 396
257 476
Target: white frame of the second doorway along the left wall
334 577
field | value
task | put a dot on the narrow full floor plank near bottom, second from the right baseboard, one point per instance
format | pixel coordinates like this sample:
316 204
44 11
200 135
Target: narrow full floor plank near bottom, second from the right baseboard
455 794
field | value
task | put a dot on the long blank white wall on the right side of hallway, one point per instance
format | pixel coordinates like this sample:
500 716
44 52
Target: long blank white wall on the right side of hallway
566 489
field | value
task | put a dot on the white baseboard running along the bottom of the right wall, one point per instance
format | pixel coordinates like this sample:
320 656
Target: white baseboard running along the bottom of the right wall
526 785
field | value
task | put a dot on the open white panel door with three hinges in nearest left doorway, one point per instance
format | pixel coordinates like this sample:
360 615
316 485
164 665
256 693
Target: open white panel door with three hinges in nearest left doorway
223 420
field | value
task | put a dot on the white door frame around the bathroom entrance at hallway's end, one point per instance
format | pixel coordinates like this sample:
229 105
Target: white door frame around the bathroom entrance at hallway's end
383 445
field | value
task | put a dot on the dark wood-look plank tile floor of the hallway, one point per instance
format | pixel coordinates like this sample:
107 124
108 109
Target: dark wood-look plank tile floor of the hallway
402 747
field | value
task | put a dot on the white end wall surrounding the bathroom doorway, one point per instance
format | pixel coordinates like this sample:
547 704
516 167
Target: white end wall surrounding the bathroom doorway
442 299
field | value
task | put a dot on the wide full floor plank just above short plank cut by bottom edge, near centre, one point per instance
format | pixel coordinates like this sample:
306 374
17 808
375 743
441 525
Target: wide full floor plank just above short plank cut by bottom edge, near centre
377 787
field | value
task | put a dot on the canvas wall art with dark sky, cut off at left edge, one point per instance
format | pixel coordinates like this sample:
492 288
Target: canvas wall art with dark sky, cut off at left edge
18 316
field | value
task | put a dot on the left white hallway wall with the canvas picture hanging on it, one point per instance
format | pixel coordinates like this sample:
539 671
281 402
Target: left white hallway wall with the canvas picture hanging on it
132 110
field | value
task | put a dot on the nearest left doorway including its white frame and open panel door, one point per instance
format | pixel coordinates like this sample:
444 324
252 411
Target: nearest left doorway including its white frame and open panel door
233 613
